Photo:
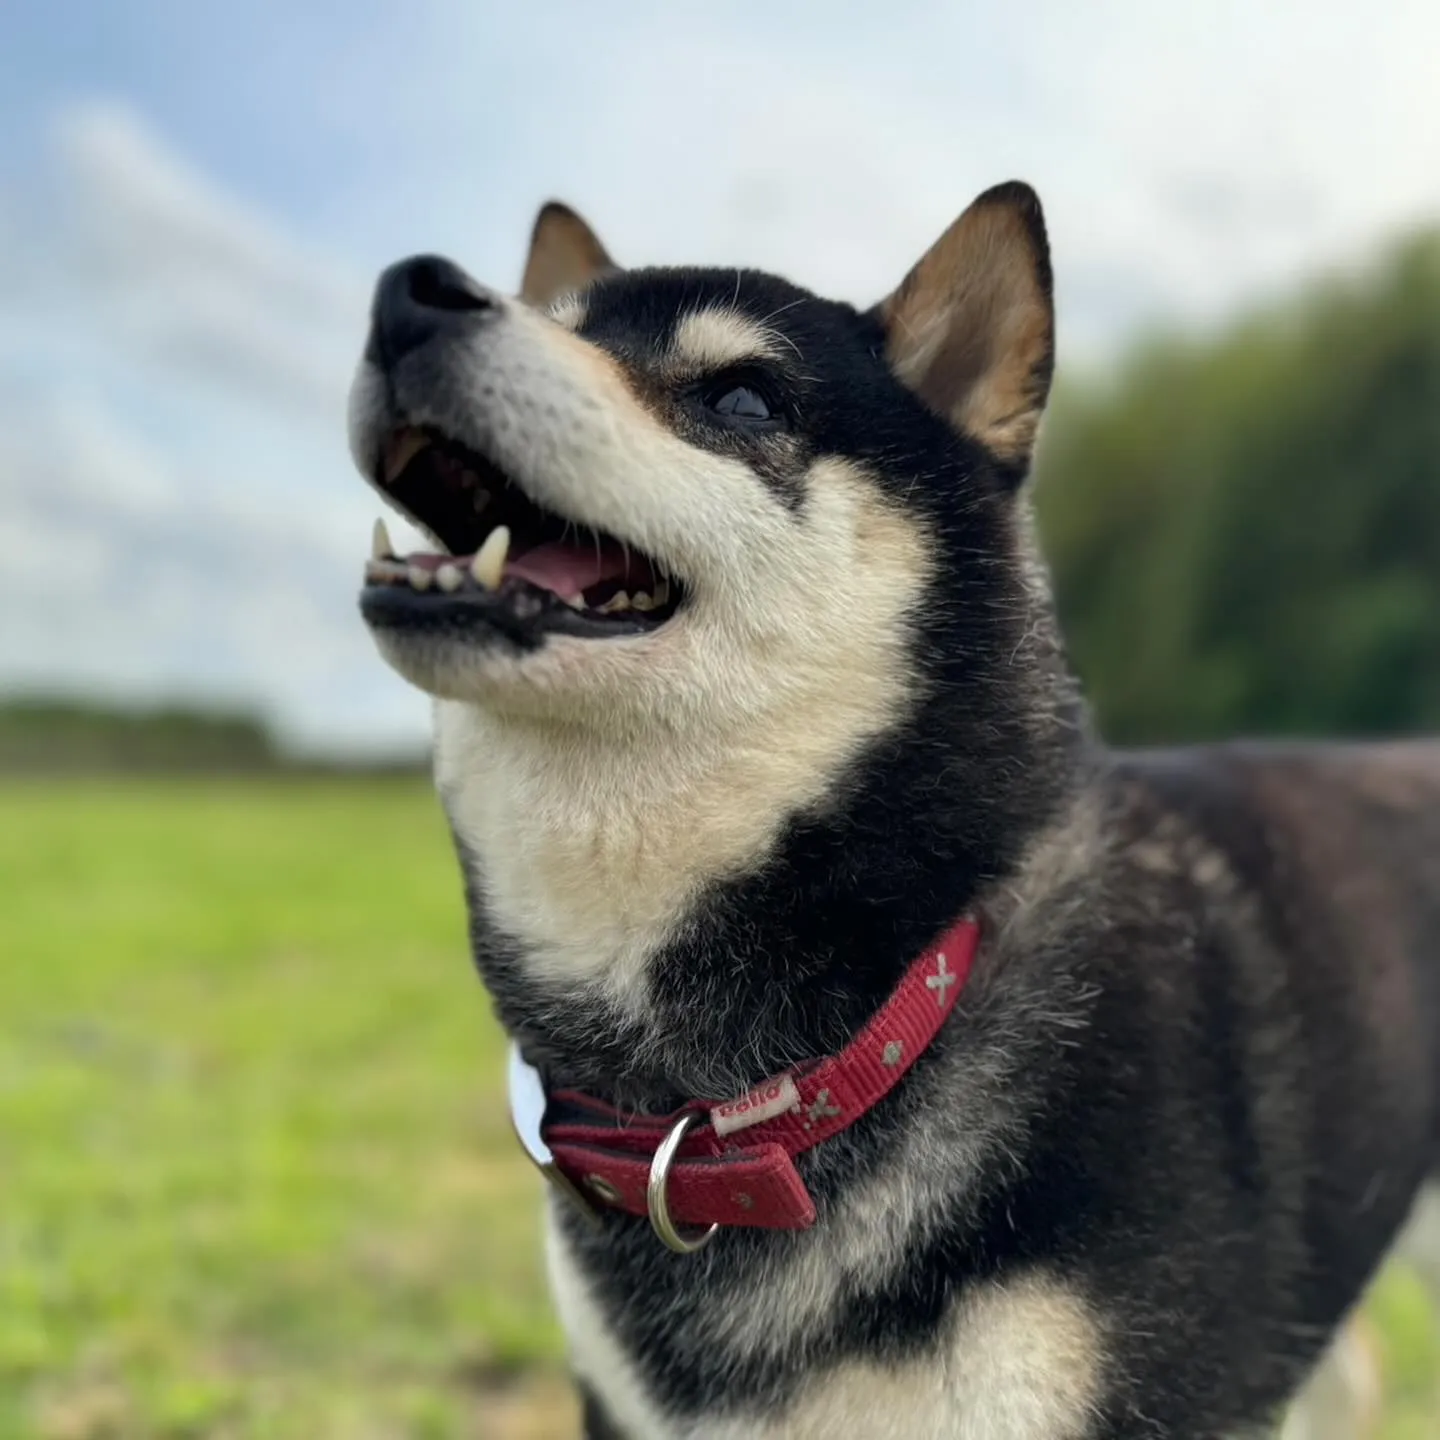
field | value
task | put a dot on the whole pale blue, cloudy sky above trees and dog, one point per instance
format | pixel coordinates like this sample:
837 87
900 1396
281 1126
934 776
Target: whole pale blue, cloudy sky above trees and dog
195 199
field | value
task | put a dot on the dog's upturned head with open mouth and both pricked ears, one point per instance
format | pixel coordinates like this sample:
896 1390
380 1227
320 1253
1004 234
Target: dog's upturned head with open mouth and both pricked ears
653 486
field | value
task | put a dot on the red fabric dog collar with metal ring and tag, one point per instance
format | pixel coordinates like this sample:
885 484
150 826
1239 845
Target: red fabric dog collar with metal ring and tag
732 1163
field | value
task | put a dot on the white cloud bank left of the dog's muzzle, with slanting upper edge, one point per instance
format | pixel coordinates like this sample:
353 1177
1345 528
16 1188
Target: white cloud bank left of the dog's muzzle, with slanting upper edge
176 503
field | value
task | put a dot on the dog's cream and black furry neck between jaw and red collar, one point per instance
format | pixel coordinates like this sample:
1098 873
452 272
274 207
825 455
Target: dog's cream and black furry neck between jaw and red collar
695 911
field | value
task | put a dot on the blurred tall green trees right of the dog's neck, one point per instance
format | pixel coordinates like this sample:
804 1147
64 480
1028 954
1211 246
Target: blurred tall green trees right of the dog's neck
1245 531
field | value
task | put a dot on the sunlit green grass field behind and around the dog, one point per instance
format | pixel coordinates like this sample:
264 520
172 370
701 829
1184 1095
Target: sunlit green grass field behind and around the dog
256 1169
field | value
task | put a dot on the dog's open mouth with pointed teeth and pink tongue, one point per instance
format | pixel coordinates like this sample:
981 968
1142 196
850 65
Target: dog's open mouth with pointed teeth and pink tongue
510 565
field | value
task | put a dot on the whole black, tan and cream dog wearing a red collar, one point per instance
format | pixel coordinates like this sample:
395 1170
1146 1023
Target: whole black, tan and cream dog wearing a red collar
904 1062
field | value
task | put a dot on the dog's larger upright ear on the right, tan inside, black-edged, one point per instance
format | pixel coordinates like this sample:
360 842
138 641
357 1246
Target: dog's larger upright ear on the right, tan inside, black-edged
971 329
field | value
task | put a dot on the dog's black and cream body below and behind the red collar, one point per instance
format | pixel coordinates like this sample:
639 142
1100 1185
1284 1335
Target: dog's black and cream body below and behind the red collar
1143 1177
